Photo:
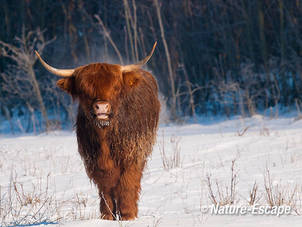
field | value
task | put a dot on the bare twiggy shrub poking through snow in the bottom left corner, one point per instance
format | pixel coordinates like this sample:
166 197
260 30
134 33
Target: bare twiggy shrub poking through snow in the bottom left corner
22 207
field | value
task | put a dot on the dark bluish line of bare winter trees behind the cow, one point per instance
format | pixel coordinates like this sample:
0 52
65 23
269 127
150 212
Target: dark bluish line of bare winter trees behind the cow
213 56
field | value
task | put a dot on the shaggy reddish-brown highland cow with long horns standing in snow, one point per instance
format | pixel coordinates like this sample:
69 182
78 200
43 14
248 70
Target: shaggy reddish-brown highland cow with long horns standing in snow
116 128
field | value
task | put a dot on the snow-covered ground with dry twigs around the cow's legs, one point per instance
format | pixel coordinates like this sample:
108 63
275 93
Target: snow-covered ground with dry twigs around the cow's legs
42 178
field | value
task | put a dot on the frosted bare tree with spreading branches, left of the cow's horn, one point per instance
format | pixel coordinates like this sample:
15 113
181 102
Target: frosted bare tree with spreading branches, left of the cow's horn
19 77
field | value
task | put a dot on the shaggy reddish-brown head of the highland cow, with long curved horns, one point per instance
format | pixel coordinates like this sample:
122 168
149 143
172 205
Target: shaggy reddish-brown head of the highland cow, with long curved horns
98 86
